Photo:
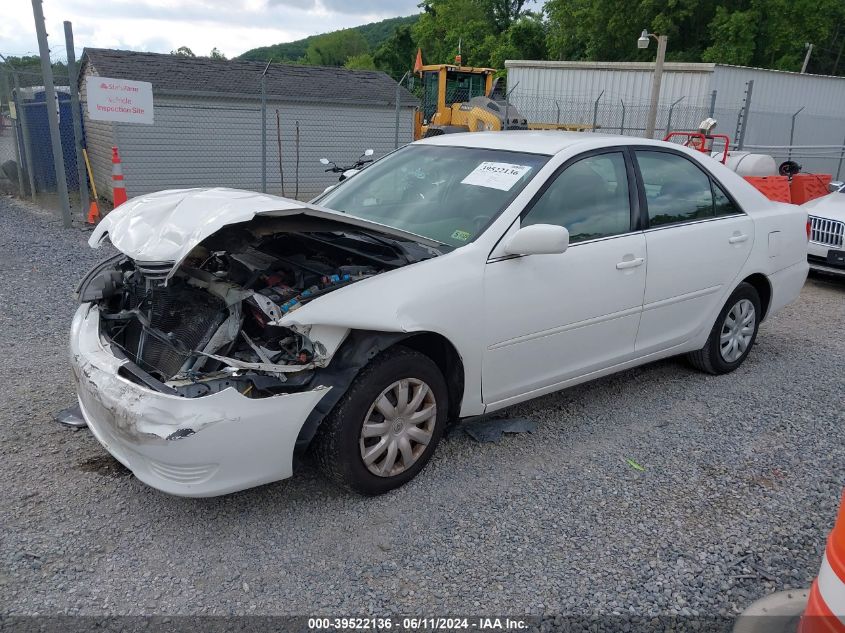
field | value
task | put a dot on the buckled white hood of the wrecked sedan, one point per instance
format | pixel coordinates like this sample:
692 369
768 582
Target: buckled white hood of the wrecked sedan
164 227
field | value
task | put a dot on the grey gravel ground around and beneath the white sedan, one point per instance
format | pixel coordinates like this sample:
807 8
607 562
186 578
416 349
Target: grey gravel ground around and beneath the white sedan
741 481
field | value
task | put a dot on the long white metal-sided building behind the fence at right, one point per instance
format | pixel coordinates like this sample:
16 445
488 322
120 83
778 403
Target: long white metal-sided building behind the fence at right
570 91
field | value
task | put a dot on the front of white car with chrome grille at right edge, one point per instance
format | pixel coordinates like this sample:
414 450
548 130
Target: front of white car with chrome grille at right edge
826 248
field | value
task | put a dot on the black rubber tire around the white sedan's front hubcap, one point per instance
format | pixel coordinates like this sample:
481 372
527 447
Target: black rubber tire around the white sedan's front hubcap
337 443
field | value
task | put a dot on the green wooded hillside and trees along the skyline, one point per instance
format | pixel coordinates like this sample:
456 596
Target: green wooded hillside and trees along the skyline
763 33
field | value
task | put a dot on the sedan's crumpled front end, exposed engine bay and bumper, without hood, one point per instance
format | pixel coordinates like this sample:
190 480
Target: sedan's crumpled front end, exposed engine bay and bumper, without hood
193 373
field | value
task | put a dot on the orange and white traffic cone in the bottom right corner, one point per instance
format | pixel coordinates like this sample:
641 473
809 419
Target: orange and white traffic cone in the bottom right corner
825 611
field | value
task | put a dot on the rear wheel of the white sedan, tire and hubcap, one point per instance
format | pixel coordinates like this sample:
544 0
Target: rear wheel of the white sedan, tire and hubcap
733 334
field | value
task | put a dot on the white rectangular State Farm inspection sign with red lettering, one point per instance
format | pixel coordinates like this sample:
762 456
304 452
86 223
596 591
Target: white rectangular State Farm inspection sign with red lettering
120 100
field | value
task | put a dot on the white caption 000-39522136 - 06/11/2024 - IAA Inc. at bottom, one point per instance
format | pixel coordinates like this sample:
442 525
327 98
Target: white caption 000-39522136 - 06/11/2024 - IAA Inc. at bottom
416 624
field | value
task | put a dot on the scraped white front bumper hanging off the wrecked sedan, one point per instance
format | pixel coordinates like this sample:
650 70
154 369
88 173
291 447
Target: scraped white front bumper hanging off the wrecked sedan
193 447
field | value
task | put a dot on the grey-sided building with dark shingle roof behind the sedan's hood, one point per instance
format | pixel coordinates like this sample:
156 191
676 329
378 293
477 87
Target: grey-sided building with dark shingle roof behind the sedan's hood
207 129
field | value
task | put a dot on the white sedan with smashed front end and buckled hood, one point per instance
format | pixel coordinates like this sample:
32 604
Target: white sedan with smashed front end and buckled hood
458 275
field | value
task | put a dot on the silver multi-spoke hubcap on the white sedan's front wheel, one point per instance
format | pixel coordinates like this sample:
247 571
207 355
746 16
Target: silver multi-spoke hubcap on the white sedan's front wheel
398 427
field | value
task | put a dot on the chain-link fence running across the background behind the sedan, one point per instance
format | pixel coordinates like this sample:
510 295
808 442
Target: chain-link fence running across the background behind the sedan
275 145
